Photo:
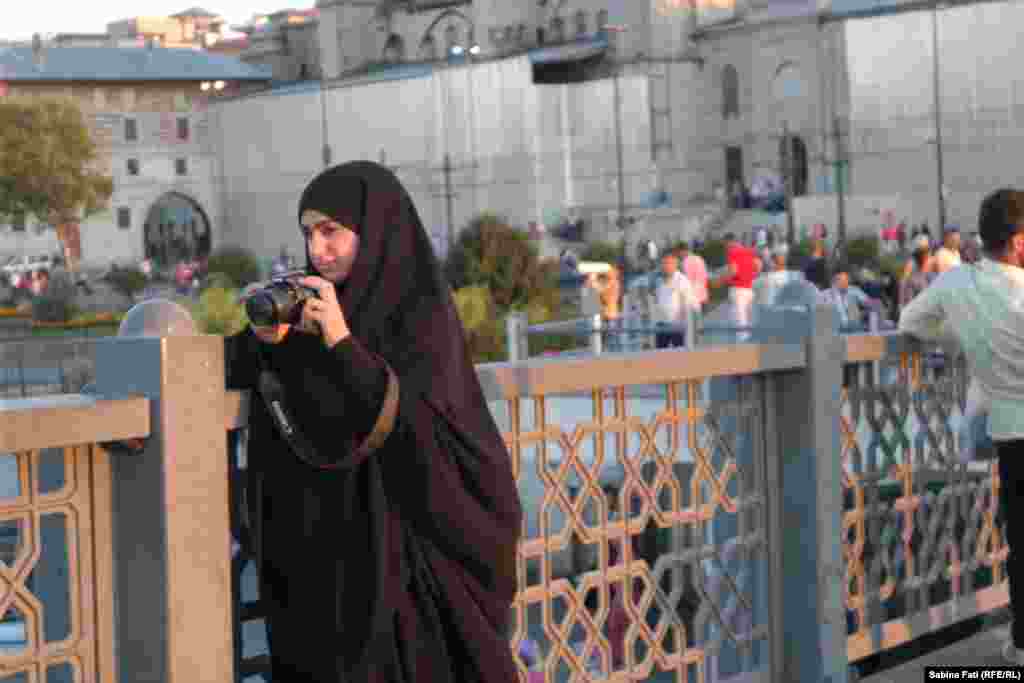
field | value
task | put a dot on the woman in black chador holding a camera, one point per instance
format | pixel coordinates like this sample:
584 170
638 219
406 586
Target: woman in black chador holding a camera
388 545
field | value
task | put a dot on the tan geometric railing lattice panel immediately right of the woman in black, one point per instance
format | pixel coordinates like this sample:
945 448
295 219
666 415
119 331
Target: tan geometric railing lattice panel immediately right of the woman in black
652 593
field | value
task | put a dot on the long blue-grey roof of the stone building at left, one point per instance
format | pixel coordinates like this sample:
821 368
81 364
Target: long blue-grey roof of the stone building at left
125 64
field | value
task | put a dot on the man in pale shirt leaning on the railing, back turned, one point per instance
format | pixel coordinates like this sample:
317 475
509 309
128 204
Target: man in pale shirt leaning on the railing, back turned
982 308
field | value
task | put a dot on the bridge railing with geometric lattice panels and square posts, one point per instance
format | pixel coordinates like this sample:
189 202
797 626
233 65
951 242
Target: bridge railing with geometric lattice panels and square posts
681 506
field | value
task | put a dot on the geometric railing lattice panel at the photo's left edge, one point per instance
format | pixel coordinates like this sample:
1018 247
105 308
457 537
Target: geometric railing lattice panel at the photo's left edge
55 578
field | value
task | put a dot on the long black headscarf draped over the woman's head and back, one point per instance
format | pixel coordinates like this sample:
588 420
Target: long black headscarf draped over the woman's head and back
451 475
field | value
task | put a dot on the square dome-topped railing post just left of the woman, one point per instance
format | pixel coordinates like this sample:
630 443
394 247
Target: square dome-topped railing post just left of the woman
172 536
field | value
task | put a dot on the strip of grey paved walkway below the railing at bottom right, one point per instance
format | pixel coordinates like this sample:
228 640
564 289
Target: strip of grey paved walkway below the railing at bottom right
982 650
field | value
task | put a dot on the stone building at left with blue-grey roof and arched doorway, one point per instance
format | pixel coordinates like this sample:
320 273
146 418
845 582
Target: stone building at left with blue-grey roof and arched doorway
156 139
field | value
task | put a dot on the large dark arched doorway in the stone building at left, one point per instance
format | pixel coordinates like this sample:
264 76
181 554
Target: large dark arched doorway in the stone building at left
177 230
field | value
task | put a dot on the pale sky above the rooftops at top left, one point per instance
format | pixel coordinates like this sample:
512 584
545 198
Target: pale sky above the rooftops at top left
92 17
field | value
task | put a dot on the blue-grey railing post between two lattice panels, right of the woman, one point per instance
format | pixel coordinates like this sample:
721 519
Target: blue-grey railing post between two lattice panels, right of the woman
805 505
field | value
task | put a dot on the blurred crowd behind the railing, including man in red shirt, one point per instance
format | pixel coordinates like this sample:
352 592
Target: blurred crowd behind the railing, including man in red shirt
759 267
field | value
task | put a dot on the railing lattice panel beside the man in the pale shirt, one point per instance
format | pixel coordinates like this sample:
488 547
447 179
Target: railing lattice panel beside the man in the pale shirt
921 528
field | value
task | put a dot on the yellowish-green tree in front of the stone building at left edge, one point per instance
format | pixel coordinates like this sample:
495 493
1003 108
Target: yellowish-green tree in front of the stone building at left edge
50 167
